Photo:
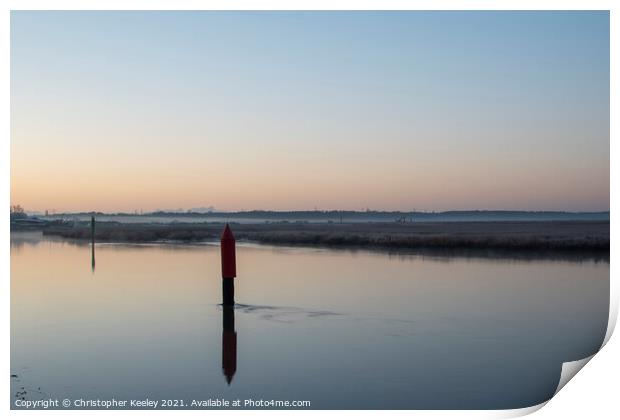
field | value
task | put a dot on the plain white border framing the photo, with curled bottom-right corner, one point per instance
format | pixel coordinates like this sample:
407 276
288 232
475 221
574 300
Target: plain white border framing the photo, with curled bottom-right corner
592 395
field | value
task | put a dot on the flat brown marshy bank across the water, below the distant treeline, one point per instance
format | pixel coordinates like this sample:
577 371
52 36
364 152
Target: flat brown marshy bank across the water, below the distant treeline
555 236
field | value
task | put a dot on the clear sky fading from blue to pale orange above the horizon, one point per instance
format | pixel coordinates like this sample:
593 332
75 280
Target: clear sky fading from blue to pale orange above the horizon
430 111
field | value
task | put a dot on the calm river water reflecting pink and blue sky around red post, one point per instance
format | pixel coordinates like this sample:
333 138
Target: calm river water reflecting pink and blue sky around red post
341 329
